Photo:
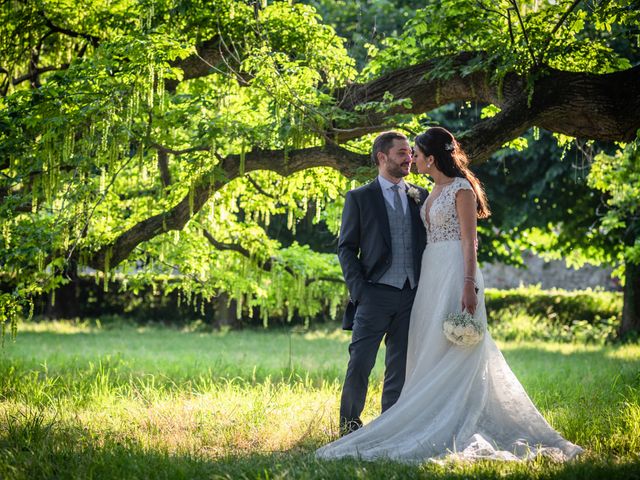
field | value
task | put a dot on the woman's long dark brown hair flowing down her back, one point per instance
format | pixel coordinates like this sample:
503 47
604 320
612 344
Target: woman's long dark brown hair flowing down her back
451 160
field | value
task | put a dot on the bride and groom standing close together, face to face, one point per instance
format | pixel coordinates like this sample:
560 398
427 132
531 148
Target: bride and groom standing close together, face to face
409 260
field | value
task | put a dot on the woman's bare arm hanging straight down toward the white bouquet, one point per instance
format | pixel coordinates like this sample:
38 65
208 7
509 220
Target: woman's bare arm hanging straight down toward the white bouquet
466 208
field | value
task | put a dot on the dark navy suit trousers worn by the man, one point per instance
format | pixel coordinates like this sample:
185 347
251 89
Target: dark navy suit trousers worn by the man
383 312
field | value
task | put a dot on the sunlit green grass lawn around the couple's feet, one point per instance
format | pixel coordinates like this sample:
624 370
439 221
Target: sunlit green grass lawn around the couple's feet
79 401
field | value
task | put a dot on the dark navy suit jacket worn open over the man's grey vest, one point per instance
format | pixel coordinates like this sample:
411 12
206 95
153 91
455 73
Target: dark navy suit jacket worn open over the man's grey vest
364 246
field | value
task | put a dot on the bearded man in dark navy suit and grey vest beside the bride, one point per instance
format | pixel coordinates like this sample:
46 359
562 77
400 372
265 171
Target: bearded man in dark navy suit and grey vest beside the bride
380 250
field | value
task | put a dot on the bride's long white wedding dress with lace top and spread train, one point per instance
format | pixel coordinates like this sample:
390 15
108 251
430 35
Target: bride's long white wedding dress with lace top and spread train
458 402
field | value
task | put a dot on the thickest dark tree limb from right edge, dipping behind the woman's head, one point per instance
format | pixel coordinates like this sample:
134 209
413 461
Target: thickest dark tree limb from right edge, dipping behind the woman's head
599 107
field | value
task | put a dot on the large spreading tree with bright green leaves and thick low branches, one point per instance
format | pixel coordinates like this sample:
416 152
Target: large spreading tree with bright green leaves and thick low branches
125 121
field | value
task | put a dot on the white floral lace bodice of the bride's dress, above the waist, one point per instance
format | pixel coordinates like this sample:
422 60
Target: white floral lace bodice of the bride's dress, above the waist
441 221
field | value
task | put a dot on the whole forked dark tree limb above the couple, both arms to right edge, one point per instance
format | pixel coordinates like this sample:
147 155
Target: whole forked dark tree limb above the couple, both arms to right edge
602 107
